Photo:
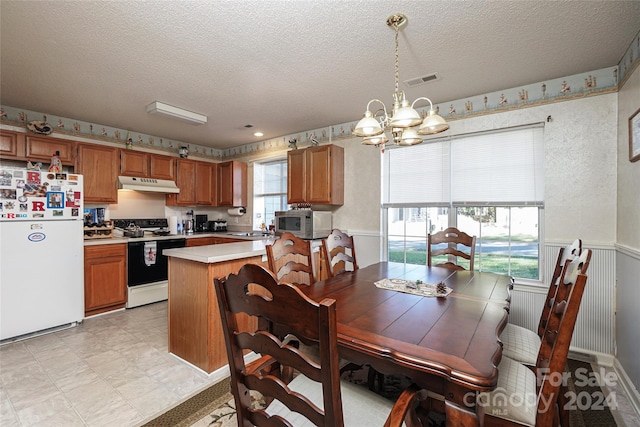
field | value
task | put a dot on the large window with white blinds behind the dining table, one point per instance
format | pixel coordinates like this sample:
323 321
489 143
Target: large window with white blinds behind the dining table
490 185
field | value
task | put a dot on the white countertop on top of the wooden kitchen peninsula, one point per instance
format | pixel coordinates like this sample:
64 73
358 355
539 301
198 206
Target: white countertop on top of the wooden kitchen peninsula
211 254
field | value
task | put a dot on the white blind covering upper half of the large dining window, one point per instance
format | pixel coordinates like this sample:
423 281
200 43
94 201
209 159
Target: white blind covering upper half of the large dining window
498 167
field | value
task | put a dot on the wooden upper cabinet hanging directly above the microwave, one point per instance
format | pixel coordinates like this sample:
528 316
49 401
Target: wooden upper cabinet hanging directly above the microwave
316 175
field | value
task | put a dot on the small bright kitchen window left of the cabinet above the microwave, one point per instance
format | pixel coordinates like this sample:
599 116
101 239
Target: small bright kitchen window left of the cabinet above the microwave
269 191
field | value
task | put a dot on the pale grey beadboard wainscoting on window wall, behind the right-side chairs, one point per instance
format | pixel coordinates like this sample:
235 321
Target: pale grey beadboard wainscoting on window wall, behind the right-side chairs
595 326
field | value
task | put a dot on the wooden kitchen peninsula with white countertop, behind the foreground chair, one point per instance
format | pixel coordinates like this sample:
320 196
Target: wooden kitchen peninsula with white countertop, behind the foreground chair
195 329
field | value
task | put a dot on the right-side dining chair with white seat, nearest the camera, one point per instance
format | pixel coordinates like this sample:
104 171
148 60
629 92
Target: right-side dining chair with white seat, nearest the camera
527 398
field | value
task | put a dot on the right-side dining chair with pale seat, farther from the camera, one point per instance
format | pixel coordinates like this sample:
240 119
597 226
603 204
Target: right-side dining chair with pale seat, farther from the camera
522 344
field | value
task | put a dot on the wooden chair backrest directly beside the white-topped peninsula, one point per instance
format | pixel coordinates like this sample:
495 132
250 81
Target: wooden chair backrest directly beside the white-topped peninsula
290 260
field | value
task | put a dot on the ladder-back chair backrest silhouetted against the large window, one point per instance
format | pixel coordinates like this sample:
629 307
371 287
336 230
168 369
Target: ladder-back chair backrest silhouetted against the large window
455 241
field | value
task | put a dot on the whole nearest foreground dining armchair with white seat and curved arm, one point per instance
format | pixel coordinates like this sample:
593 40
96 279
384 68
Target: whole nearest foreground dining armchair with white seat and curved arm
316 395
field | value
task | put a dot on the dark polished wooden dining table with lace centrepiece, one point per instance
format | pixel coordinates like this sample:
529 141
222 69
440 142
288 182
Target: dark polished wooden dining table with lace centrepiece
447 345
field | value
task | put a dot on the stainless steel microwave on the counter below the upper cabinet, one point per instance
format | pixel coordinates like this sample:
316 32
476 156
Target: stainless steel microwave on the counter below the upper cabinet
304 223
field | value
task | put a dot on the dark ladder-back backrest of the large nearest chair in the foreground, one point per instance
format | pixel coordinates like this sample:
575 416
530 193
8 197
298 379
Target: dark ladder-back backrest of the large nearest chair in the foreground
256 292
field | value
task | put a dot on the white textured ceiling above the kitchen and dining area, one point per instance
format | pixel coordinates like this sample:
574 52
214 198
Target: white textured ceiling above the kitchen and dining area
286 66
